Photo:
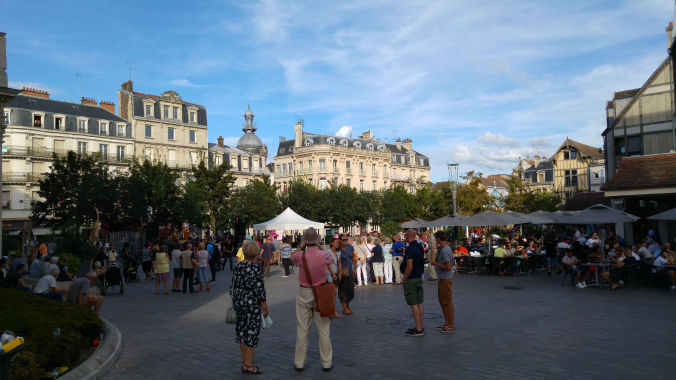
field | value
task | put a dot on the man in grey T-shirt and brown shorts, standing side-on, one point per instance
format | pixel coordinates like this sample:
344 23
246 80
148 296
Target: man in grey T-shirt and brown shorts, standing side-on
444 264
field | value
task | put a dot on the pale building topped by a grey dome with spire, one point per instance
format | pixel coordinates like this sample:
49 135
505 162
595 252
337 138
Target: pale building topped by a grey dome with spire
248 160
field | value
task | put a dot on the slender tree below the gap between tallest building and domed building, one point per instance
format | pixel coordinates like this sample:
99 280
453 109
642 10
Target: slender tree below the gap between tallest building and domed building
216 185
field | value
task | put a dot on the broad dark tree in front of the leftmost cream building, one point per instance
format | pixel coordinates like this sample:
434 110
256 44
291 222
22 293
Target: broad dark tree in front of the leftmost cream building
70 191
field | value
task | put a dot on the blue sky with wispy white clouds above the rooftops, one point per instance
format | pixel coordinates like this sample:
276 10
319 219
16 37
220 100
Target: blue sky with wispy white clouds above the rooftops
479 83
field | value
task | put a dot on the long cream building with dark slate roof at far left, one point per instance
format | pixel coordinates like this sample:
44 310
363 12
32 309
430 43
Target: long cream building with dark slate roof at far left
39 127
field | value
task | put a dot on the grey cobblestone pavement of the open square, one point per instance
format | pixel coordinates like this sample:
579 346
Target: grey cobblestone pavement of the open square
534 329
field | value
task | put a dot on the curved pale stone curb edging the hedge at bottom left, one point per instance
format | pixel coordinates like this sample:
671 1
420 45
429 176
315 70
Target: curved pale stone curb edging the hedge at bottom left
98 364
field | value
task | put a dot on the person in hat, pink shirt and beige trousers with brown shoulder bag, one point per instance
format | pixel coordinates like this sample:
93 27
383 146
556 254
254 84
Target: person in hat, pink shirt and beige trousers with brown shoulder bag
312 275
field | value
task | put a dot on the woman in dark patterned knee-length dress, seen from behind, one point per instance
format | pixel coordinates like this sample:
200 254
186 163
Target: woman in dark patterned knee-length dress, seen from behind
248 299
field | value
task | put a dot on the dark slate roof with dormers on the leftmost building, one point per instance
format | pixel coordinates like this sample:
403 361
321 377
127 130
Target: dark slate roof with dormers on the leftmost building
61 107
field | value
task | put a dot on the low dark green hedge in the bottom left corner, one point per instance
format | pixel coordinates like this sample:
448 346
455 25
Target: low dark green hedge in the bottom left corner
34 318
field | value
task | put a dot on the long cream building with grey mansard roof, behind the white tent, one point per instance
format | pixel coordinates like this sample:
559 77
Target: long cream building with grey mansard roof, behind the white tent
363 163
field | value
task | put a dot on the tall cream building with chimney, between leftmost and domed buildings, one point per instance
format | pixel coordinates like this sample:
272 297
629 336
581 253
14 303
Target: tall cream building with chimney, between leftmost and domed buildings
166 128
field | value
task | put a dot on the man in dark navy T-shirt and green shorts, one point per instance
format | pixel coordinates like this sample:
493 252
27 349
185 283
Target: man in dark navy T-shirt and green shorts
414 260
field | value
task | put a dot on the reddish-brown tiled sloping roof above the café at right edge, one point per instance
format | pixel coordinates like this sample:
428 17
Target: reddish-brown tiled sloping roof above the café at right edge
653 171
